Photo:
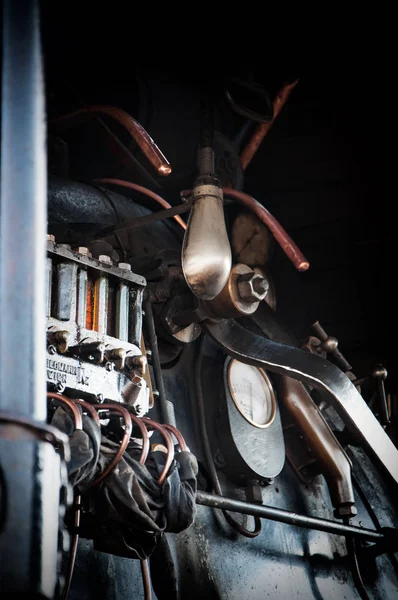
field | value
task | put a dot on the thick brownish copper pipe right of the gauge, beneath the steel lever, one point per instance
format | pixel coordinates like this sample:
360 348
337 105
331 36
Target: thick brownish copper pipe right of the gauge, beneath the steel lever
332 459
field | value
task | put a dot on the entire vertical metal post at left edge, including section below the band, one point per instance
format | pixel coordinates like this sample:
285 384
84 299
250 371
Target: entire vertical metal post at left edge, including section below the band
29 468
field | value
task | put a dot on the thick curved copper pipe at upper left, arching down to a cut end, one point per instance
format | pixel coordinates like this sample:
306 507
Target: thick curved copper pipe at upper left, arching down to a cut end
137 132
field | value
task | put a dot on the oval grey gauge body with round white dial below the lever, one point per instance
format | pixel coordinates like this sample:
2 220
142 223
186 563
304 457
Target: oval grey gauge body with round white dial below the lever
244 423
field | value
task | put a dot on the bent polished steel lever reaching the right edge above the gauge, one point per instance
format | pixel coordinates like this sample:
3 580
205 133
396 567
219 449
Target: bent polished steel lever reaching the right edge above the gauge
308 368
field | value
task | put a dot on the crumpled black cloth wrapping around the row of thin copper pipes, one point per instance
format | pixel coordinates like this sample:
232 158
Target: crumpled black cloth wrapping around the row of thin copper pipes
127 513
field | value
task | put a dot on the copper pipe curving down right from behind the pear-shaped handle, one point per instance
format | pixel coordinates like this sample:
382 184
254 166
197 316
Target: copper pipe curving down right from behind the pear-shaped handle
288 246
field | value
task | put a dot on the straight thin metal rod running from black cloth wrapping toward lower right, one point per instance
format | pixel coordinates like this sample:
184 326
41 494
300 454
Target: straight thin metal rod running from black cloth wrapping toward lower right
286 516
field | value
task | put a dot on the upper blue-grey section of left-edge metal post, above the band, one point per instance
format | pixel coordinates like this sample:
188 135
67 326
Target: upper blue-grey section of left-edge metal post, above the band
23 215
